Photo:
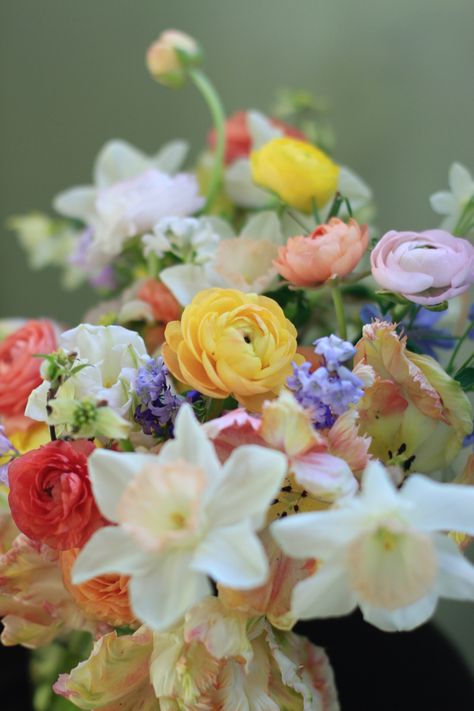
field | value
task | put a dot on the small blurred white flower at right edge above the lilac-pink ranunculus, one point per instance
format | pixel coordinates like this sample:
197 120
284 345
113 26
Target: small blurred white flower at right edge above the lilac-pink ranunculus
452 203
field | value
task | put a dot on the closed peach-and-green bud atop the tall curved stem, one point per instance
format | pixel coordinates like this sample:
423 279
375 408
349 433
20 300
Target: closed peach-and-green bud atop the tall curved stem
168 57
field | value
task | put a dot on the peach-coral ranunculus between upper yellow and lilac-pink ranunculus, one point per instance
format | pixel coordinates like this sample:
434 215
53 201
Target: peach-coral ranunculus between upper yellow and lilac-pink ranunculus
330 250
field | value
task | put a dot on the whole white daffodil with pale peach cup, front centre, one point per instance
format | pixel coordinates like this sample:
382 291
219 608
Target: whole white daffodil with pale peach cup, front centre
181 517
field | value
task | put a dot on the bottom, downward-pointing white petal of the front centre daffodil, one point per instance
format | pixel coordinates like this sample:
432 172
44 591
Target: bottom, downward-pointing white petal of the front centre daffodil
162 596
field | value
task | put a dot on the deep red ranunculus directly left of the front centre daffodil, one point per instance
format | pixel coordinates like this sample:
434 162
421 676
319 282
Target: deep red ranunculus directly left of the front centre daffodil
50 495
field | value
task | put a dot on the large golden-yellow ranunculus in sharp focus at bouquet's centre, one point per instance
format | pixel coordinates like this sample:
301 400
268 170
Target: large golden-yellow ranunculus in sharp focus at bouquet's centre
231 343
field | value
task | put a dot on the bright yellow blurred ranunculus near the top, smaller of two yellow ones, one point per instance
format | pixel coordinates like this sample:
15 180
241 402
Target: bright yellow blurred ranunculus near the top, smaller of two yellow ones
298 172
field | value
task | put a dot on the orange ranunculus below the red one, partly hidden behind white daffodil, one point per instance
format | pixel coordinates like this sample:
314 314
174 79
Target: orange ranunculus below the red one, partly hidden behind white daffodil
103 598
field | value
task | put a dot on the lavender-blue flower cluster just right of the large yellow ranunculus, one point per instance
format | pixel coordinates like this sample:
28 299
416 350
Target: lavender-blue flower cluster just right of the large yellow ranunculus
327 391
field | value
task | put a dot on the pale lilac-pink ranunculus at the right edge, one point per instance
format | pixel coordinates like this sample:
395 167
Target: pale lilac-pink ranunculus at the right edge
425 267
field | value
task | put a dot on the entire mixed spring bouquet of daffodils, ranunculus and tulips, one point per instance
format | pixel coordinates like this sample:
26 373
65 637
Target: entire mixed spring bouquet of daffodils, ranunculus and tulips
264 420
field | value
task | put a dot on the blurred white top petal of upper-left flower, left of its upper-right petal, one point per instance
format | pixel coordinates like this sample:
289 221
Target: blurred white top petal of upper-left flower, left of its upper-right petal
117 161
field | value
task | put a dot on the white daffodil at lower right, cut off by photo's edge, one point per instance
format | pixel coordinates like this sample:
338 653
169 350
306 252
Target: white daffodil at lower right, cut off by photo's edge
383 551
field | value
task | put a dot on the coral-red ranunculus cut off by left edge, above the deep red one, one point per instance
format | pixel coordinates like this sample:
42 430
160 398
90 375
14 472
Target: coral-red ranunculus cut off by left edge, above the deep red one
20 370
